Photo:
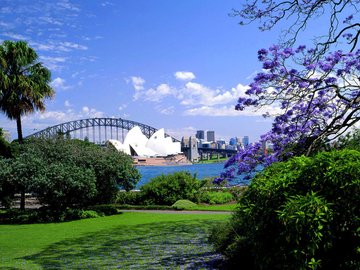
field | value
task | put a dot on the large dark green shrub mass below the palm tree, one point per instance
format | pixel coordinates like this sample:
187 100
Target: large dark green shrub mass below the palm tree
65 173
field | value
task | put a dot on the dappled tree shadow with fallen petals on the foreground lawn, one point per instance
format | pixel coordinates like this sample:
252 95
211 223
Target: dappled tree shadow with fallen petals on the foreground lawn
152 246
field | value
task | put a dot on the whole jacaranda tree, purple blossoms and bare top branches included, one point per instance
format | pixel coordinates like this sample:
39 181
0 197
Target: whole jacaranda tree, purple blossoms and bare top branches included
318 89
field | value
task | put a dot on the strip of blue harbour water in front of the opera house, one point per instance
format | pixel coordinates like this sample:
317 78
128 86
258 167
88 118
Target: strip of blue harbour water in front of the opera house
201 171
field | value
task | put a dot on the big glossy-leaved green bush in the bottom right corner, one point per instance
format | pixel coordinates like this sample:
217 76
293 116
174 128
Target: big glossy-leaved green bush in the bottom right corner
299 214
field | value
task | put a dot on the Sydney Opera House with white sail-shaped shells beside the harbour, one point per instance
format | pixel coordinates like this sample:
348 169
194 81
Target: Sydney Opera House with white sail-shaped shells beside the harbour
157 150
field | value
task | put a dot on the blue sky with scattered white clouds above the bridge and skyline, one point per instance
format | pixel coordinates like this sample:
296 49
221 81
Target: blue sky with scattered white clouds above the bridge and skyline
178 65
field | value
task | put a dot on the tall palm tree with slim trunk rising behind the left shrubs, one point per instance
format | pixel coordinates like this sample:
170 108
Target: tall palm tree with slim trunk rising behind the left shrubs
24 84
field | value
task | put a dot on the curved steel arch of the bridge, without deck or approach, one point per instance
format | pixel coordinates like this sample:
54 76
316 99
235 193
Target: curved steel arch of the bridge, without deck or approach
66 128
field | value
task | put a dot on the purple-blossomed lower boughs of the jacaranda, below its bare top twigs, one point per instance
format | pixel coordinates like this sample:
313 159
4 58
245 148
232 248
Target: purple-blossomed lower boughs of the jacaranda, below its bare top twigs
319 102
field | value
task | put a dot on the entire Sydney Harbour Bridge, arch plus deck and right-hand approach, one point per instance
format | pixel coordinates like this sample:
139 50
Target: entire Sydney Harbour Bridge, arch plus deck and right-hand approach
100 130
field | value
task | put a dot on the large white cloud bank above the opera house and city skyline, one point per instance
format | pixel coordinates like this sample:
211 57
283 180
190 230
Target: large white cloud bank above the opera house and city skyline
198 99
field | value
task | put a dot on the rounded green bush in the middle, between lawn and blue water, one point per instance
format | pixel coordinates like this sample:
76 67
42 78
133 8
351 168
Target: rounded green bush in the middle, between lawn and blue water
167 189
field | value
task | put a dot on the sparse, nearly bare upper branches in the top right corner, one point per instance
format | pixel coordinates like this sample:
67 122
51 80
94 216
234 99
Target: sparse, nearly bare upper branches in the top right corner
341 17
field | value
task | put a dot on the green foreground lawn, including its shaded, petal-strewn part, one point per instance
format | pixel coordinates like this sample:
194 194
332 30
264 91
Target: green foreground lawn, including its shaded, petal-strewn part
125 241
